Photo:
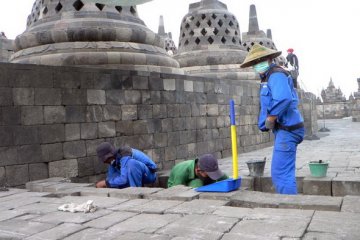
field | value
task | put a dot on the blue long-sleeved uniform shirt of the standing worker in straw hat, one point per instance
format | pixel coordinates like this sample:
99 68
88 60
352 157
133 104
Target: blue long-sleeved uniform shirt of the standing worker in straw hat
278 97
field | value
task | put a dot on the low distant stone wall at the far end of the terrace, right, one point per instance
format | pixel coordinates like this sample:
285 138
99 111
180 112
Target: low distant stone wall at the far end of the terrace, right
333 110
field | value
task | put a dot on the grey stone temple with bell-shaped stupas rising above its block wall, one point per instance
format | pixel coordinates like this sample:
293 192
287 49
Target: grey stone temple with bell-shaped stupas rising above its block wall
83 73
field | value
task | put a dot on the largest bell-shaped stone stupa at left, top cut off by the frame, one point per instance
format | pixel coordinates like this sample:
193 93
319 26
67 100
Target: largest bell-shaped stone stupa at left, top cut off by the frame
77 33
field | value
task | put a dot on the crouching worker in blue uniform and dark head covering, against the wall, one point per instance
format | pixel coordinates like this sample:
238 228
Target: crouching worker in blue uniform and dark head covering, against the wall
128 167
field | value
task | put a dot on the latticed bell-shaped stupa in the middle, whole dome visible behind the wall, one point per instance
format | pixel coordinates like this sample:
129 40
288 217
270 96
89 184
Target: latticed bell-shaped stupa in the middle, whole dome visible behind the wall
209 42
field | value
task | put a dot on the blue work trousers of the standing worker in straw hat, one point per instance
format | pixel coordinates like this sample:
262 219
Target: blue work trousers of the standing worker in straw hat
283 160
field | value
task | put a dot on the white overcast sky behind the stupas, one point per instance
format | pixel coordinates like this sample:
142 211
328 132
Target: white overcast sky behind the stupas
324 34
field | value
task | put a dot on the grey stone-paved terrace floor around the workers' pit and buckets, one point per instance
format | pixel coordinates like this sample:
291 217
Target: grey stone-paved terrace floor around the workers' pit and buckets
181 213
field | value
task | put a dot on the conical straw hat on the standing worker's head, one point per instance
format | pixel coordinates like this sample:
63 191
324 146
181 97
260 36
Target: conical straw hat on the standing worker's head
259 53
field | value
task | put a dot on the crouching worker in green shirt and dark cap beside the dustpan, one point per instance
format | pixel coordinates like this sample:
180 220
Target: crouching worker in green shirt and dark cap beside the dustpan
196 173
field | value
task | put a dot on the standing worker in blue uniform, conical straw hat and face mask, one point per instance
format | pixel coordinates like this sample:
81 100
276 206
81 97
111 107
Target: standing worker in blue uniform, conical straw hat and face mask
279 113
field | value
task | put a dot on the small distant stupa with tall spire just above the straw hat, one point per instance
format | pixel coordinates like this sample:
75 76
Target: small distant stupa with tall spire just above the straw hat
255 35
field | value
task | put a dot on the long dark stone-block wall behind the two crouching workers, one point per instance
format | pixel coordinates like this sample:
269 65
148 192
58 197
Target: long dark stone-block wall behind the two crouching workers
52 118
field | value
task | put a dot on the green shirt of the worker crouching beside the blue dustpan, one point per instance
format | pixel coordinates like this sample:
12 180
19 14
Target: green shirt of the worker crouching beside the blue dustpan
184 174
